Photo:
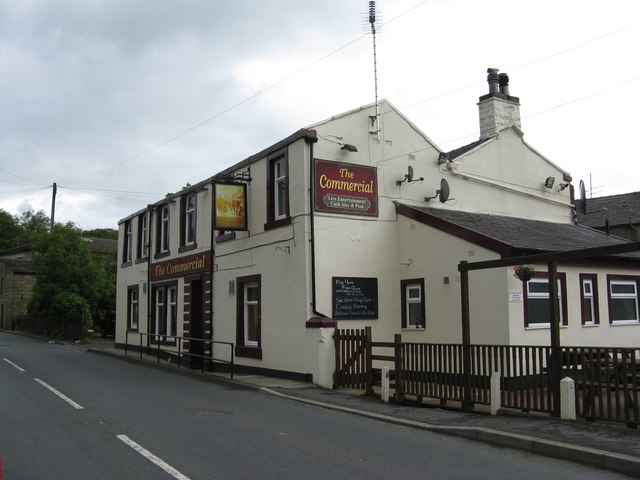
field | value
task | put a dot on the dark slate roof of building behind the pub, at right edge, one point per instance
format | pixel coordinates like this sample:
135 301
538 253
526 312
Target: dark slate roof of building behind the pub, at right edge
619 209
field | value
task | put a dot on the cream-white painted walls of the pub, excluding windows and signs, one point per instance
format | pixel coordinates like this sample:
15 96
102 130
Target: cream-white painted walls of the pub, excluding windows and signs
295 262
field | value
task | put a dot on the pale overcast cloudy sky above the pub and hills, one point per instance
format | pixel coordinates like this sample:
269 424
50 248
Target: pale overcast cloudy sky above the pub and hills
122 101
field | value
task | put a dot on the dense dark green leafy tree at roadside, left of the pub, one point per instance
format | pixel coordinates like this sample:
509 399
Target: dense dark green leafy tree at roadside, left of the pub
66 292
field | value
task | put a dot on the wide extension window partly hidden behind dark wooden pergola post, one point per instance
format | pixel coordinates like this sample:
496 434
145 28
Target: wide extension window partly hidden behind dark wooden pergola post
536 301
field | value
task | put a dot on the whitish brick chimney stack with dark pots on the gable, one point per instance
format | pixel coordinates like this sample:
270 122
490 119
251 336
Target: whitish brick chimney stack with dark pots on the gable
498 109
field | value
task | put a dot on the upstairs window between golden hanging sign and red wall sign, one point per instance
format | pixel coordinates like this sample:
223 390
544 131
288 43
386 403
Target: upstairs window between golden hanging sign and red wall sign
277 191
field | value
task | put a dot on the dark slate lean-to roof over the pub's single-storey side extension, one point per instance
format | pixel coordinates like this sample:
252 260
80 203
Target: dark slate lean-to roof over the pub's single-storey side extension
511 235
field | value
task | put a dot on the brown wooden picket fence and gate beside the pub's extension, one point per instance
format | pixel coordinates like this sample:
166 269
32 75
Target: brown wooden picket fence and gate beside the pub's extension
607 380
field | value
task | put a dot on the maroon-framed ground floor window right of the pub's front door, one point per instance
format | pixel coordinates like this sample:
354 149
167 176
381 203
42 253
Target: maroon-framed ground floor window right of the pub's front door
248 317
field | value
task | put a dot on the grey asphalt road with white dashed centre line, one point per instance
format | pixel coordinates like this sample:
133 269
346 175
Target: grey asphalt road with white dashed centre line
69 414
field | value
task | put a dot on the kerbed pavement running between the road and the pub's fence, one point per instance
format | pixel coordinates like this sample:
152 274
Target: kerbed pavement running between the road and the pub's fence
610 446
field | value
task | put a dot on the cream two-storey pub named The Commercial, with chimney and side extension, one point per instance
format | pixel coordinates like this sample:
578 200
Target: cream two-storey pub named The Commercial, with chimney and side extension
361 220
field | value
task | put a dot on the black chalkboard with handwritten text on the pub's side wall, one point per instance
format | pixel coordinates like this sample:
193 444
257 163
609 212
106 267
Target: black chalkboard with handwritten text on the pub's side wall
355 298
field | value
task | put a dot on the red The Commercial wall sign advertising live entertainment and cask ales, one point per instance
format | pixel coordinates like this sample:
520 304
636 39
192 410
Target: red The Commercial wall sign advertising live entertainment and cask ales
346 188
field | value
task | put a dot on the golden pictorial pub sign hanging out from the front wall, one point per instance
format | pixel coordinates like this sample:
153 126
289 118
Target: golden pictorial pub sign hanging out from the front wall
230 211
